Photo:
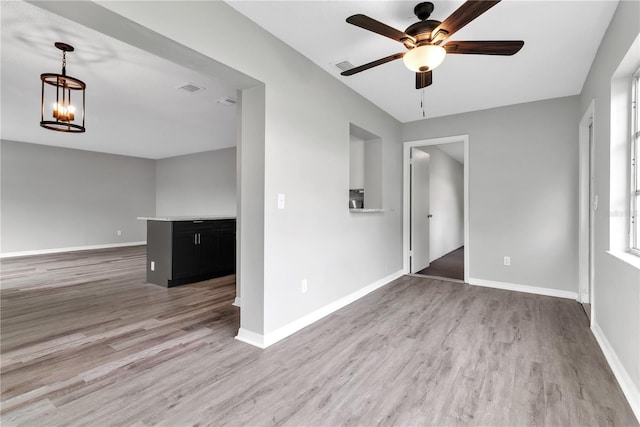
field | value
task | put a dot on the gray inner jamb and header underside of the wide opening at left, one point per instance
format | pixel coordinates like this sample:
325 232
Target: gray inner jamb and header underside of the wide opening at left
250 132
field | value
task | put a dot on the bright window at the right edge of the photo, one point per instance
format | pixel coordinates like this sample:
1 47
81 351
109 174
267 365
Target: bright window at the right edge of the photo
634 245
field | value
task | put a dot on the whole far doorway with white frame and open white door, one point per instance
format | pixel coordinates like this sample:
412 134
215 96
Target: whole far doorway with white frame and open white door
422 222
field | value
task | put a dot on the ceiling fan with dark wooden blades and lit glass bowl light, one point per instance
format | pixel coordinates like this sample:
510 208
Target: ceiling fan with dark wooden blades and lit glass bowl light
426 40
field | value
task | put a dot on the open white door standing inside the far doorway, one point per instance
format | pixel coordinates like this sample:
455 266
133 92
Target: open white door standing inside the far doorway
419 245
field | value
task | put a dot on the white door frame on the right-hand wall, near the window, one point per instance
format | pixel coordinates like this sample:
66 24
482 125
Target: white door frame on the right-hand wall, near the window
585 243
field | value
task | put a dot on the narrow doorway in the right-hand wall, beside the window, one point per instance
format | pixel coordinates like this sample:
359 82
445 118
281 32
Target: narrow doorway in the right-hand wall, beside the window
588 204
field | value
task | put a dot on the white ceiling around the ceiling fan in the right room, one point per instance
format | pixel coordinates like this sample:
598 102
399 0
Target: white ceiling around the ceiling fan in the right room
561 39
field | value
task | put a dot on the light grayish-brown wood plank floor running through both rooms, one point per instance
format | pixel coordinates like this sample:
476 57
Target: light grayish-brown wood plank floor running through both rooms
86 342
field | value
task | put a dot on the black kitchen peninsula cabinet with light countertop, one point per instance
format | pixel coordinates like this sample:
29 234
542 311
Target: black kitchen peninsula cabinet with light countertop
183 250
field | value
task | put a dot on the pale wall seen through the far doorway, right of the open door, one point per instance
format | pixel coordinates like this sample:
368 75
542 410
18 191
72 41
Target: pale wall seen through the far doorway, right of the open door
446 203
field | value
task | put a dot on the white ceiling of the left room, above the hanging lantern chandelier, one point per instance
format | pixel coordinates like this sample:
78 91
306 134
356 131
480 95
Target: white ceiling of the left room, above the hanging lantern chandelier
133 106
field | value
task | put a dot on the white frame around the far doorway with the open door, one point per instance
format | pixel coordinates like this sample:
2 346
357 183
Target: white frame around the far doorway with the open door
406 157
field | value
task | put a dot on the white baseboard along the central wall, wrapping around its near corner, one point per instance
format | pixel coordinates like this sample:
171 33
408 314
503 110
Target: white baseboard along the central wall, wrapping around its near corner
271 338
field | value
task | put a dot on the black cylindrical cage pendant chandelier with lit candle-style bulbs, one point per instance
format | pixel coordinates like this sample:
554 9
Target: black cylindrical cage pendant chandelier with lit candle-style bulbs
56 99
